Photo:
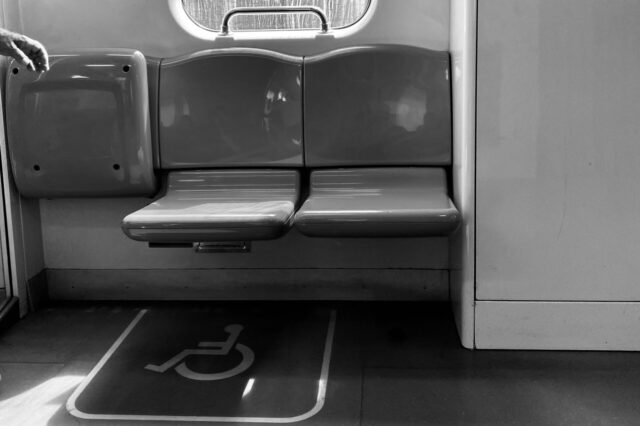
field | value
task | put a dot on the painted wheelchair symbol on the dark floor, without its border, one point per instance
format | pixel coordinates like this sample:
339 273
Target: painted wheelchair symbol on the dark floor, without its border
218 348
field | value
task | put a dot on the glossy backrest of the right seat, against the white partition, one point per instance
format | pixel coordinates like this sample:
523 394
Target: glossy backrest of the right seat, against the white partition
377 105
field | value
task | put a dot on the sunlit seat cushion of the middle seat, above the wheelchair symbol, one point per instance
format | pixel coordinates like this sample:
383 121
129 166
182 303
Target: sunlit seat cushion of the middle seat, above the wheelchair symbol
218 205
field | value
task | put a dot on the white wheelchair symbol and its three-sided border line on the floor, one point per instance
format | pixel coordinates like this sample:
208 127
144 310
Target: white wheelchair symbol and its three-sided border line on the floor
204 348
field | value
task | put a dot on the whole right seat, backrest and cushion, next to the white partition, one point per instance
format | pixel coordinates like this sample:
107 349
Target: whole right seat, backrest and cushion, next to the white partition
386 108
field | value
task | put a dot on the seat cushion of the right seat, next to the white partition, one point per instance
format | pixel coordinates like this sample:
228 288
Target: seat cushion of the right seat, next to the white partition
378 202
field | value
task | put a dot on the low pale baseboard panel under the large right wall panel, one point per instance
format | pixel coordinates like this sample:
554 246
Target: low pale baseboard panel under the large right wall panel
558 325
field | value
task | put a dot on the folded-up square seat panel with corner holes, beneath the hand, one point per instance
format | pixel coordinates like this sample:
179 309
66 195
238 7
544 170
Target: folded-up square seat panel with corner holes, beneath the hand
83 127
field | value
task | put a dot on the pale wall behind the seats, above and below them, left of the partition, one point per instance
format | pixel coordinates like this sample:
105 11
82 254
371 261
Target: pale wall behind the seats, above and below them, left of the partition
80 245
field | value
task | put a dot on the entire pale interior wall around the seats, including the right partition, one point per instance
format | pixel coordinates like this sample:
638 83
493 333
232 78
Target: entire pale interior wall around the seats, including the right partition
555 177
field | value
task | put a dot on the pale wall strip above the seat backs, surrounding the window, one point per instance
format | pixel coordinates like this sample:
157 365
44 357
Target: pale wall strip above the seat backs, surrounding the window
150 26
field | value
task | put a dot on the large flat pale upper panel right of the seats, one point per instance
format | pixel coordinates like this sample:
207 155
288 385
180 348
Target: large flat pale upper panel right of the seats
558 152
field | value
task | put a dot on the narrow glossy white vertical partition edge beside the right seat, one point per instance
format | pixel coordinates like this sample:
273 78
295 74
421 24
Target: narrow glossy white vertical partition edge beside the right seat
463 57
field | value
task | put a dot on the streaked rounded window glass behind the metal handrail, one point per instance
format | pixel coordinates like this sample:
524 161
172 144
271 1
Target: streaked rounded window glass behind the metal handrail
340 13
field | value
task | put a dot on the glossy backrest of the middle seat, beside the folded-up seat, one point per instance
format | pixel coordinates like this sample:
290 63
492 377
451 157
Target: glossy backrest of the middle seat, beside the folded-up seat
229 108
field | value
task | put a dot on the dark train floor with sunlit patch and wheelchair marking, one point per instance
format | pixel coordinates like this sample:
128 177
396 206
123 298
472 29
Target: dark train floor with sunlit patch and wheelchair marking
346 363
